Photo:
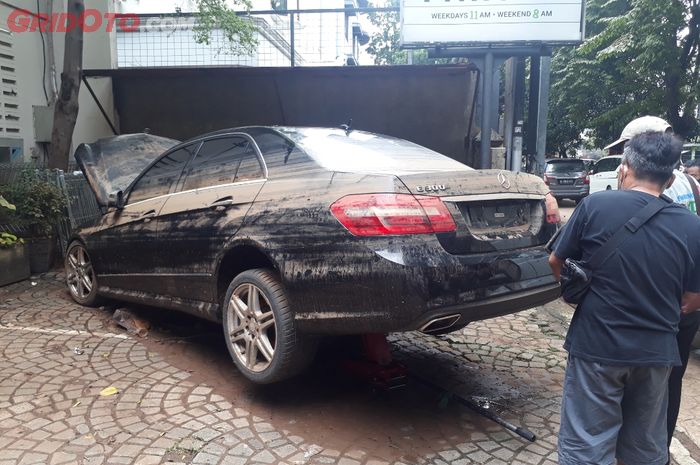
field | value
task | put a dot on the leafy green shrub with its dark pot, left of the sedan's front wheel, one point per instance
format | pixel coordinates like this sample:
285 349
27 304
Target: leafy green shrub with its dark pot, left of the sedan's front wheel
40 206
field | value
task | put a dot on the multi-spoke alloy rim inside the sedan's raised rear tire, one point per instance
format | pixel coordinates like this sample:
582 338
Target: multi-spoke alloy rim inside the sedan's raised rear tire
252 330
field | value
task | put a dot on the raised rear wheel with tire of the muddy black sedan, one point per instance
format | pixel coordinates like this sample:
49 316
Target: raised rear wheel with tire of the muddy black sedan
263 340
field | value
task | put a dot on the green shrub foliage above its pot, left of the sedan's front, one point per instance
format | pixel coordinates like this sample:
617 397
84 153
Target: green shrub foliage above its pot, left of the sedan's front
39 203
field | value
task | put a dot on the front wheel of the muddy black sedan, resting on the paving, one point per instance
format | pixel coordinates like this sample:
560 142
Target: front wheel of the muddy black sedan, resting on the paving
80 275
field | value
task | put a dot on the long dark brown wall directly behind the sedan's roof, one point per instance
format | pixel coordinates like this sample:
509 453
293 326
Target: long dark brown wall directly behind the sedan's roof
428 105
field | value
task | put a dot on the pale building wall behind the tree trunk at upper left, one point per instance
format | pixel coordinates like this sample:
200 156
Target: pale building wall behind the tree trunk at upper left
29 64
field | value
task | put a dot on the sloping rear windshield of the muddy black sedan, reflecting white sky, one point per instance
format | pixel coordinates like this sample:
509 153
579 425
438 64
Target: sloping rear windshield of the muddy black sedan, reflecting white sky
360 151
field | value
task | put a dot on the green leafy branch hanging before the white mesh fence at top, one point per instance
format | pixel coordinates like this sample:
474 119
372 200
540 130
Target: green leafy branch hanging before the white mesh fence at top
239 30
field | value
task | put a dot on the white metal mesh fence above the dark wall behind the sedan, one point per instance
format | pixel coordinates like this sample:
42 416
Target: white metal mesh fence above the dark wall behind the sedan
309 37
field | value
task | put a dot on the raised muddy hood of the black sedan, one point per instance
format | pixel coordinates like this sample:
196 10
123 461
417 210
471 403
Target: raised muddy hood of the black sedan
111 165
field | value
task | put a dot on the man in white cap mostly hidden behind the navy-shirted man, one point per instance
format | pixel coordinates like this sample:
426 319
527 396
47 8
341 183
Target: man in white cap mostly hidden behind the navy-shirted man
684 191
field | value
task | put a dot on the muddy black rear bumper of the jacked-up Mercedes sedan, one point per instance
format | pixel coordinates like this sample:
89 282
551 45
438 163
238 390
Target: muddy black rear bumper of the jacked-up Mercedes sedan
384 292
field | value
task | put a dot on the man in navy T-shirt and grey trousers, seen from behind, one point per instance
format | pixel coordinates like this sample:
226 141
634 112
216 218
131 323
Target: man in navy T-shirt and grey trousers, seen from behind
622 338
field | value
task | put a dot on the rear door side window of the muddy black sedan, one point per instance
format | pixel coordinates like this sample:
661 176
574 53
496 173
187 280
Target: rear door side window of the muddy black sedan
224 161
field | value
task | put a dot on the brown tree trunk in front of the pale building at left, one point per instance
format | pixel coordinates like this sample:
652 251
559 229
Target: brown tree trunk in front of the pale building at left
66 112
